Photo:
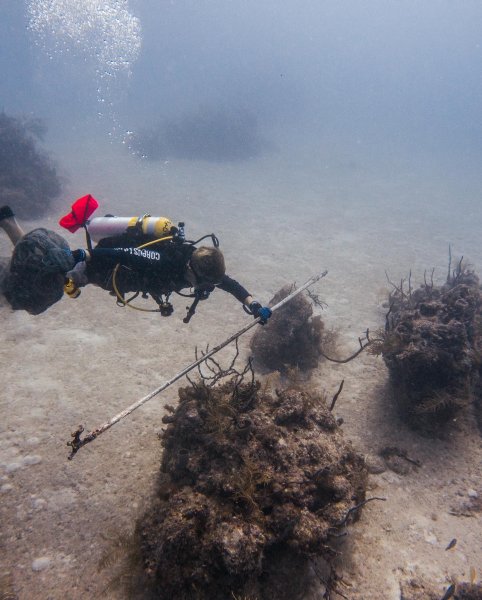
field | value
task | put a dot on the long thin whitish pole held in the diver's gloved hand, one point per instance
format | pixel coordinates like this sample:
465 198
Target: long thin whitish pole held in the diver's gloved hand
77 443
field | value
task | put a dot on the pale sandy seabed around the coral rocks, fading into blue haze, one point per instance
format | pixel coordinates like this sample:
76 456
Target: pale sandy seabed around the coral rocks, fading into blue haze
280 219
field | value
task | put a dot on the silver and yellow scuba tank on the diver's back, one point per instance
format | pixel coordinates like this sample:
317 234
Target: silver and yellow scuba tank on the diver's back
103 227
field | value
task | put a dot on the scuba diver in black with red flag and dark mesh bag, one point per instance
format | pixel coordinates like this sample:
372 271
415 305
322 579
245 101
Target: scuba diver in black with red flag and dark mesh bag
143 256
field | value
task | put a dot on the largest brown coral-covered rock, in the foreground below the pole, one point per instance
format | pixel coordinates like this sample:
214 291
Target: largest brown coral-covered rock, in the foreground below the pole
248 479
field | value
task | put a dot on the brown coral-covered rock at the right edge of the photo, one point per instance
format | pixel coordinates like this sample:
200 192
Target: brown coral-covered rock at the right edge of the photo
431 348
